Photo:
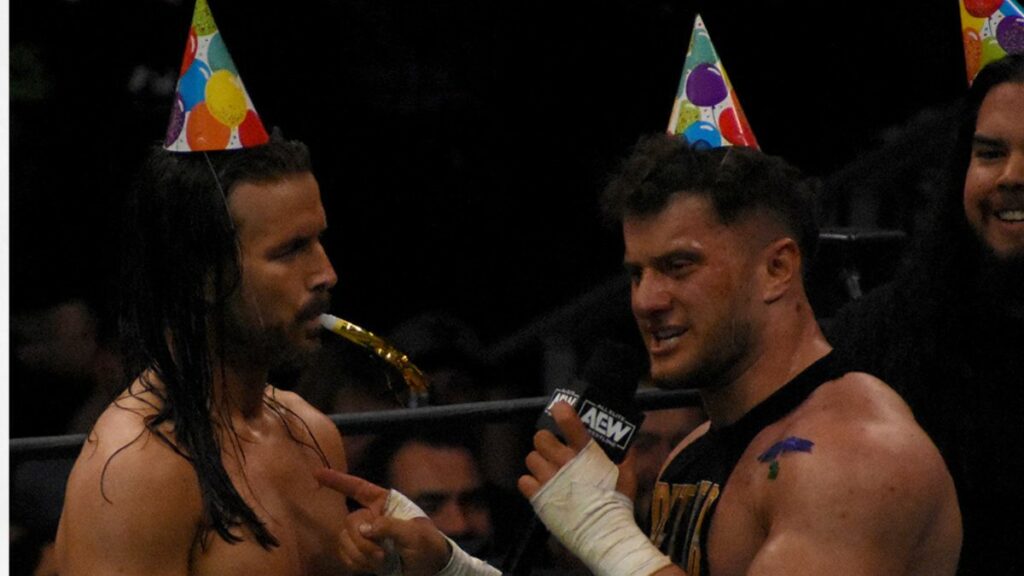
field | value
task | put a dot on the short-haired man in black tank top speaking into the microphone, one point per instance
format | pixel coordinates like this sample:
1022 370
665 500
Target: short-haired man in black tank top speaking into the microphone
803 468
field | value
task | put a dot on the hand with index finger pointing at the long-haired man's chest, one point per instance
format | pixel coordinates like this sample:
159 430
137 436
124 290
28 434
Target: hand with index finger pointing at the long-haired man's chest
422 548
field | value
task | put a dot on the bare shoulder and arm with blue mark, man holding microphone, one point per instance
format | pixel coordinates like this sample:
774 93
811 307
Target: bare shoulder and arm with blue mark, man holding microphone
851 472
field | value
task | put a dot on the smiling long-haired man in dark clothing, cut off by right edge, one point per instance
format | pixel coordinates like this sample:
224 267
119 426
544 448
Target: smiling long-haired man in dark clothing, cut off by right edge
949 333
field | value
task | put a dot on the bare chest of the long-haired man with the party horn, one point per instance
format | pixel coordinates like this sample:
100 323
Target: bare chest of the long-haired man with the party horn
305 518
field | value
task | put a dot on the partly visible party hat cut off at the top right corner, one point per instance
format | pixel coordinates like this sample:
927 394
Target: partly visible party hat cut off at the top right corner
992 30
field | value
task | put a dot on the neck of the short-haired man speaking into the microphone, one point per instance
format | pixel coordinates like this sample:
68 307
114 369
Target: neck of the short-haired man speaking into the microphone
784 351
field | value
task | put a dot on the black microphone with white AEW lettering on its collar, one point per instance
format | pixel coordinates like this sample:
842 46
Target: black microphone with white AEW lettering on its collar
605 400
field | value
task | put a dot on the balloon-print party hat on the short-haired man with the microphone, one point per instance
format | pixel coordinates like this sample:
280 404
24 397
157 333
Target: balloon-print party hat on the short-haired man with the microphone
707 112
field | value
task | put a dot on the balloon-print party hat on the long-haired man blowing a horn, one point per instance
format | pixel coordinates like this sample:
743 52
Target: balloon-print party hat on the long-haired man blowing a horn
212 110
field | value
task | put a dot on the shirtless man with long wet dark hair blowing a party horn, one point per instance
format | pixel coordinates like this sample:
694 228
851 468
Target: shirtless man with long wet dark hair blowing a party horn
200 468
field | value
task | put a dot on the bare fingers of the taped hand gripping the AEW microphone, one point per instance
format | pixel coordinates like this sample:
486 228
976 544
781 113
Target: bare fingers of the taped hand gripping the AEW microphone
550 455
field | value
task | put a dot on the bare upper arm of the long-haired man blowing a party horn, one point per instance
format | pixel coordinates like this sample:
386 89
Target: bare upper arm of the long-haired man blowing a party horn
137 512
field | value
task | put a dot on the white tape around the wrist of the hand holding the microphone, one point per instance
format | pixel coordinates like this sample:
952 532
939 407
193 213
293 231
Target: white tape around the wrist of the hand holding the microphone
582 509
